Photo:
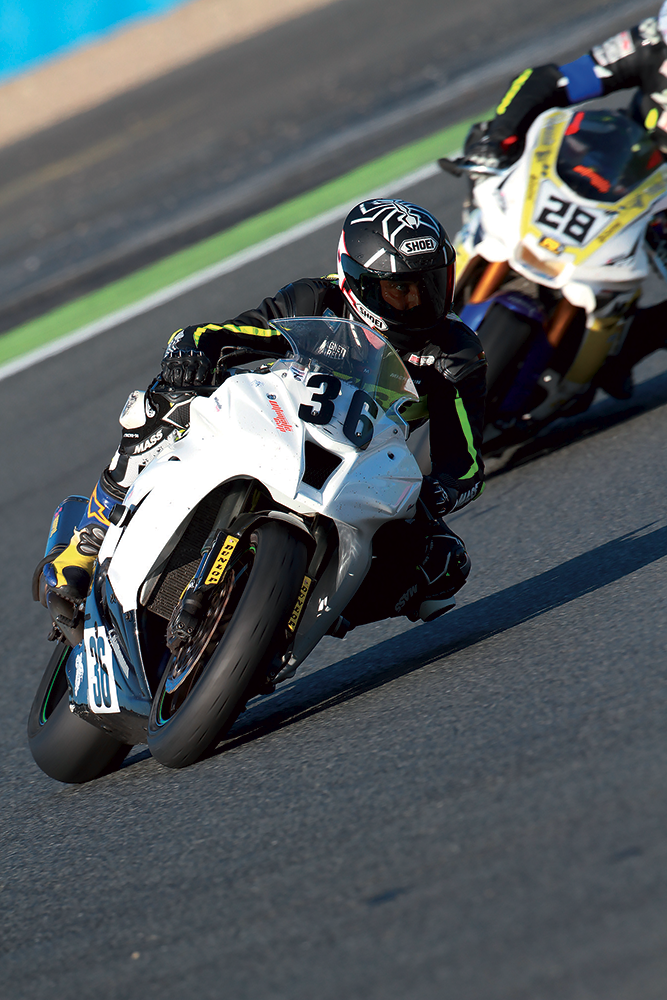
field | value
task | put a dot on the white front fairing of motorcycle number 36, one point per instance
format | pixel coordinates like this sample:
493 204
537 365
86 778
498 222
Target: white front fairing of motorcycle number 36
250 428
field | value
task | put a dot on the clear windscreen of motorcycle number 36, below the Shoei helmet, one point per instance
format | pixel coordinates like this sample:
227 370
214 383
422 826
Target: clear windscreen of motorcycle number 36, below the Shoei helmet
350 351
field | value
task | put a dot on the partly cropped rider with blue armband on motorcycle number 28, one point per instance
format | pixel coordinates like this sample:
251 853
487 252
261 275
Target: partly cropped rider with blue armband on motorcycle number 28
636 57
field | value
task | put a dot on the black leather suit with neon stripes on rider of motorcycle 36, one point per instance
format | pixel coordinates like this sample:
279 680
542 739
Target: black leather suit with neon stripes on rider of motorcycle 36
449 372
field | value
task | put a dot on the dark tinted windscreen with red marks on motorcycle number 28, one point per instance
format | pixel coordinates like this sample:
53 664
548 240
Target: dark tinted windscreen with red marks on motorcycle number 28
605 155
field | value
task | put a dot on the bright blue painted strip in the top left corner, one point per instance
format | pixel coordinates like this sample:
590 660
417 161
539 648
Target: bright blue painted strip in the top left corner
33 30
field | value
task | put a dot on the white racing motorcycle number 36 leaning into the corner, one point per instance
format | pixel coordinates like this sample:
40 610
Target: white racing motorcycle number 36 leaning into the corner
233 552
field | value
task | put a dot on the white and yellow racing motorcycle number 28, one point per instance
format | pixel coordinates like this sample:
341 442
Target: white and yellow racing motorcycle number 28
552 256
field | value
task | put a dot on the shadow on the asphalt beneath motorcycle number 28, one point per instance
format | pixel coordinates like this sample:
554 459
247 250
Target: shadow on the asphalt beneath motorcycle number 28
602 416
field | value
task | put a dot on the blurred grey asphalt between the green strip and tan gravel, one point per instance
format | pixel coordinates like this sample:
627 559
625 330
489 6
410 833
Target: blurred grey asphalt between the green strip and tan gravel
241 130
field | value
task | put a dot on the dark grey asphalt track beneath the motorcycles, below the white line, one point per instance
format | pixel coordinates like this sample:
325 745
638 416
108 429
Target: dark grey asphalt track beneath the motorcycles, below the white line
472 809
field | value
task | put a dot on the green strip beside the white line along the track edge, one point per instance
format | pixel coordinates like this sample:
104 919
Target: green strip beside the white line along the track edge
126 291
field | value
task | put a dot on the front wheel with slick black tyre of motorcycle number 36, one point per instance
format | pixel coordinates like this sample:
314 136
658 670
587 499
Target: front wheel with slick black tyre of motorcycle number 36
207 682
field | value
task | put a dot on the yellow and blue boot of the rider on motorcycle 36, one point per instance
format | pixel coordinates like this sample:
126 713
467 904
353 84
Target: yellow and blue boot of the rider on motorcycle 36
69 573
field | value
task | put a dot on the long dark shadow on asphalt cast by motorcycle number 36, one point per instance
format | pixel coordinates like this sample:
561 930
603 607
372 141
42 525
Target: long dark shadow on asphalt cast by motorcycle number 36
462 629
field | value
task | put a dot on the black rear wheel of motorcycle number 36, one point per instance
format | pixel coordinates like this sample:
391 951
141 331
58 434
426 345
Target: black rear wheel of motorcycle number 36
65 746
